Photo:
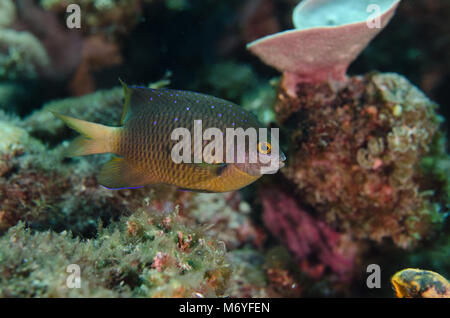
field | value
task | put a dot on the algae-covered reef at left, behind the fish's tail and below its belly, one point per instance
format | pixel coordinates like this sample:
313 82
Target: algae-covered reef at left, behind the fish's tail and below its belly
41 195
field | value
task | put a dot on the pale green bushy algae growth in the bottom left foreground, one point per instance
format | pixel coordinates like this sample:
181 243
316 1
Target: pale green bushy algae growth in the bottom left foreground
142 262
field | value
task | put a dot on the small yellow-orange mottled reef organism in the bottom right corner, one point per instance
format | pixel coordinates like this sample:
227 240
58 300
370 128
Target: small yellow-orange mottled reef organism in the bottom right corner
417 283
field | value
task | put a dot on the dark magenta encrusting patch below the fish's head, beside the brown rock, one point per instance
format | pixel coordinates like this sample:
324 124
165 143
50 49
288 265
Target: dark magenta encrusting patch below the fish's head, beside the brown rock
316 246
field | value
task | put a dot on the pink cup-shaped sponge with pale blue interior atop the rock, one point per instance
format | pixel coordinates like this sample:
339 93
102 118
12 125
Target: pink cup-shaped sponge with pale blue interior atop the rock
329 35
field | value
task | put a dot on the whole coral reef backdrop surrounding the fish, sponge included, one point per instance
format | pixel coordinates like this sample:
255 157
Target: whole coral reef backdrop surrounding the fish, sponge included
367 179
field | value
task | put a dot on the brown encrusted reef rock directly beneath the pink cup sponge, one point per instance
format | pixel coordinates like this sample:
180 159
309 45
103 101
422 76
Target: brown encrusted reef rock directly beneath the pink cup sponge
356 154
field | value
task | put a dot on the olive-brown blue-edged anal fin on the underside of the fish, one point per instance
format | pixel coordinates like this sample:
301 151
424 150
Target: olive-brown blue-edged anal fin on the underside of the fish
118 174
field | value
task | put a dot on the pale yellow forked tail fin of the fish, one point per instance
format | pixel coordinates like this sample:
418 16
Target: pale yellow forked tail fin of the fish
95 138
